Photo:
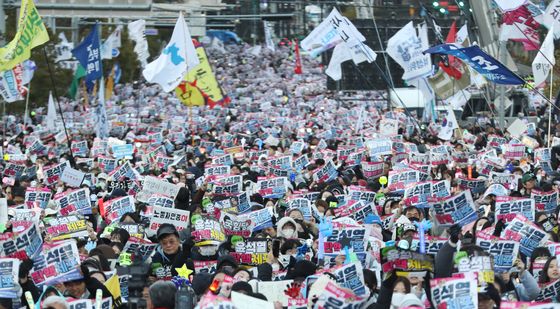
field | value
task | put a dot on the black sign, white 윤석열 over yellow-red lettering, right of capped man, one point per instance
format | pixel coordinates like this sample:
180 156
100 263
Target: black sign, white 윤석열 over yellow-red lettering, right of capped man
252 251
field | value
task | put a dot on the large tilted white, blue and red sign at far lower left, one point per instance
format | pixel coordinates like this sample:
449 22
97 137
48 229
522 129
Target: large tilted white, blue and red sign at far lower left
57 263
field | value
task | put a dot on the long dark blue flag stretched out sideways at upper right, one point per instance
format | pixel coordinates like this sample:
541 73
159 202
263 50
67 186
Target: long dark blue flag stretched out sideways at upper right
481 62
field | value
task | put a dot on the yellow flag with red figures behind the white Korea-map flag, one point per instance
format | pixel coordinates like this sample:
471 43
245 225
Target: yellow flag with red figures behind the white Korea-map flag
200 87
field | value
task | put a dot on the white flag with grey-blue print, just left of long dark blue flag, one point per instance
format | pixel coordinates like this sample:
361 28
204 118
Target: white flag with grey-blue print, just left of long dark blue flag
407 50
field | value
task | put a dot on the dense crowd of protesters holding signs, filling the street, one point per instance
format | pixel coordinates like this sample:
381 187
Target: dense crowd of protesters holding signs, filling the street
288 196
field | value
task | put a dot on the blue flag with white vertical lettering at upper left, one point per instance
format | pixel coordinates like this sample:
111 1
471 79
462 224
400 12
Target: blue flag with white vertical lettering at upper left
88 54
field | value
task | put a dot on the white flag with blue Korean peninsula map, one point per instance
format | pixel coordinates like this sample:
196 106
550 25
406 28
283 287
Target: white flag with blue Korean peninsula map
169 69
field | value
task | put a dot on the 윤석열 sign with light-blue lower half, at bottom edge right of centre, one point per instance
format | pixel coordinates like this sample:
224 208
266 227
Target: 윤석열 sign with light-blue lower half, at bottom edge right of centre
455 292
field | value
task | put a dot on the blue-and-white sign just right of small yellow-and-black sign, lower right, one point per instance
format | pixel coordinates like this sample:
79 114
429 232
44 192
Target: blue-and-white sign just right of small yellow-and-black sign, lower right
503 252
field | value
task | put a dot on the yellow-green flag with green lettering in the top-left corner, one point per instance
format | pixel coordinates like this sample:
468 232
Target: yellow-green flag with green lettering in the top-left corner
31 32
